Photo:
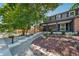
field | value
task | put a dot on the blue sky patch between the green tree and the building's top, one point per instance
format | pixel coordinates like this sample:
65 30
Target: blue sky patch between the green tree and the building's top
60 9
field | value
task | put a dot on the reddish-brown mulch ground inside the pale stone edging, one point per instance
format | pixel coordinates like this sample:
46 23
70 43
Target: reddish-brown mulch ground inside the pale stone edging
60 45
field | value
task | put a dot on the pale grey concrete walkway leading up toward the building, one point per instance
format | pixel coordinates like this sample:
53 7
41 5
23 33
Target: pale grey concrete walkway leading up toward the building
20 47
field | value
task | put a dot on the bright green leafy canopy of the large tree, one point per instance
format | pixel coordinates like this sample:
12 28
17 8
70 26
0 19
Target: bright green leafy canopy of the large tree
23 16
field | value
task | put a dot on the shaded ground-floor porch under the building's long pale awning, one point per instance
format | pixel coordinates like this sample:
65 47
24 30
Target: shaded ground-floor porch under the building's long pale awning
66 26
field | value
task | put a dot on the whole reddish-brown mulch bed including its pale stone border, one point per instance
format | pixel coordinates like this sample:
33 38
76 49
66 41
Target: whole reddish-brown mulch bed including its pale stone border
56 46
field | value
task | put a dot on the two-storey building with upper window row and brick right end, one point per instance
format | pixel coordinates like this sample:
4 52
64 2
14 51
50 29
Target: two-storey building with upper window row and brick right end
67 21
